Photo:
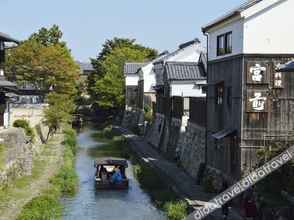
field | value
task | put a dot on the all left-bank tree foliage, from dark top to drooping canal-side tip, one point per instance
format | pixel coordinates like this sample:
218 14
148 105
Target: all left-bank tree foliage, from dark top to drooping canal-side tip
45 62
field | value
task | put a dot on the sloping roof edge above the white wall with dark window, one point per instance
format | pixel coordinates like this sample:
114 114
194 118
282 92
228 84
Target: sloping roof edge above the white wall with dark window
230 14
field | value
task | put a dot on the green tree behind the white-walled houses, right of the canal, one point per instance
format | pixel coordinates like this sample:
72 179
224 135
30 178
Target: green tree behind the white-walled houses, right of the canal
106 84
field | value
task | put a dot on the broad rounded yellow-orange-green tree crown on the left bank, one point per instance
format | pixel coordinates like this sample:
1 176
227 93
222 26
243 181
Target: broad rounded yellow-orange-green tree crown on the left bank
45 67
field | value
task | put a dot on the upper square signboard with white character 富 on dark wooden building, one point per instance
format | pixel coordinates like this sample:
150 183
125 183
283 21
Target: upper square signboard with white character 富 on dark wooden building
258 73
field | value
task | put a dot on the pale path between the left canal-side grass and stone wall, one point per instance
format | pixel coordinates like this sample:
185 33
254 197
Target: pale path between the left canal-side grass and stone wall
16 198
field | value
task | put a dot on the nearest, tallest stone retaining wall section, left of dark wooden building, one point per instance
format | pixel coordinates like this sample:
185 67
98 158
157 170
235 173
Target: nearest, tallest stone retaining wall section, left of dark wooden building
191 146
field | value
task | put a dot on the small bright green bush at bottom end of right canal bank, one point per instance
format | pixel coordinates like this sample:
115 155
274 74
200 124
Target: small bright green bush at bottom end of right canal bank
176 210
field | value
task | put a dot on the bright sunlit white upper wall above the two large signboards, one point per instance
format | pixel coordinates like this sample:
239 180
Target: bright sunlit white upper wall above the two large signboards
270 31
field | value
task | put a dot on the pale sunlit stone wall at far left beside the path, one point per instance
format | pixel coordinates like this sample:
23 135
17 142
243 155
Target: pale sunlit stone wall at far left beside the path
18 155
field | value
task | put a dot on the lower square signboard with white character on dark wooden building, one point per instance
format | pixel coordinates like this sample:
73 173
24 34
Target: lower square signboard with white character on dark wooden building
257 101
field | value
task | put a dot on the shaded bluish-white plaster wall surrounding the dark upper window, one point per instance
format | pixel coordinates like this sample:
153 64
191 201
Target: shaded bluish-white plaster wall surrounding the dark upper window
236 27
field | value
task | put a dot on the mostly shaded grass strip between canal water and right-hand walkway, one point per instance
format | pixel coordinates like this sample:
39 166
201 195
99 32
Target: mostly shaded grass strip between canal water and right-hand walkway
162 196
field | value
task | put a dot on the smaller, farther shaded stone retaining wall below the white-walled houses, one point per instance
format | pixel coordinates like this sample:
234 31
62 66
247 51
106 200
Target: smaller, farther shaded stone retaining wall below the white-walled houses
155 132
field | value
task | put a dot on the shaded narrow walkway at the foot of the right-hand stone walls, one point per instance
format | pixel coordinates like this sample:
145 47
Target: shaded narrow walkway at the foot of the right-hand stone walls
181 182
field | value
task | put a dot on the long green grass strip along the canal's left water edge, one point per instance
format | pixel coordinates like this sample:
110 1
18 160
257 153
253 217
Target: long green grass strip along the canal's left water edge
64 183
